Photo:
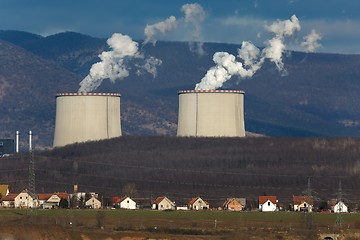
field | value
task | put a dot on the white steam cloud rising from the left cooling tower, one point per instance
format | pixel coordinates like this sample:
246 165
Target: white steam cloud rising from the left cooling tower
113 64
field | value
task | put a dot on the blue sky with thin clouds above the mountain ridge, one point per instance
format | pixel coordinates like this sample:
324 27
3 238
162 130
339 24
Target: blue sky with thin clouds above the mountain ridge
231 21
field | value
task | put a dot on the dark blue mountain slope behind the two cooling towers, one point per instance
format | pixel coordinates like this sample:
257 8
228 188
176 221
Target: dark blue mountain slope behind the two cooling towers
318 96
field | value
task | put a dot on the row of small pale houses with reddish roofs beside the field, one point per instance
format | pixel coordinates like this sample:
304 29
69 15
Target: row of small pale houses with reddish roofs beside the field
91 200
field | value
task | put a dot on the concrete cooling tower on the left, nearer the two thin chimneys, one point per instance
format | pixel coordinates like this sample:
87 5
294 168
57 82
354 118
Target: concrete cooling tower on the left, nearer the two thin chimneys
82 117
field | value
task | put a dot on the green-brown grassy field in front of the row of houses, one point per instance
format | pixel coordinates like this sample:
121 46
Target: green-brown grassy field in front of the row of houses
184 224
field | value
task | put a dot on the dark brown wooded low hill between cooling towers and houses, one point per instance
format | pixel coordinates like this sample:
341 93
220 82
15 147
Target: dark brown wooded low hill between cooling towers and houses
182 168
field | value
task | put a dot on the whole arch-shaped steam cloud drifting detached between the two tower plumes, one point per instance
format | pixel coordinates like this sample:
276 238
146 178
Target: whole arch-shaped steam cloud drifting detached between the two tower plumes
194 15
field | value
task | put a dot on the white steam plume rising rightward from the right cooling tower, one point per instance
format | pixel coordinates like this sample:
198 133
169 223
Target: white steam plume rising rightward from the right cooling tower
227 66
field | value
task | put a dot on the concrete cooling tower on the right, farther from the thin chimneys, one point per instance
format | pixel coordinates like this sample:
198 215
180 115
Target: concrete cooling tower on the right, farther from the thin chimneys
211 113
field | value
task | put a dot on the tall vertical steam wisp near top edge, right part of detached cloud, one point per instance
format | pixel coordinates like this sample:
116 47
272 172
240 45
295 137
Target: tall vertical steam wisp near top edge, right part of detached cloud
195 15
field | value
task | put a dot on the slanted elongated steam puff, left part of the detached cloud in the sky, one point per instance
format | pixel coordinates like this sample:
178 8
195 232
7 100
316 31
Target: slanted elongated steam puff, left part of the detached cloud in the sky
161 27
